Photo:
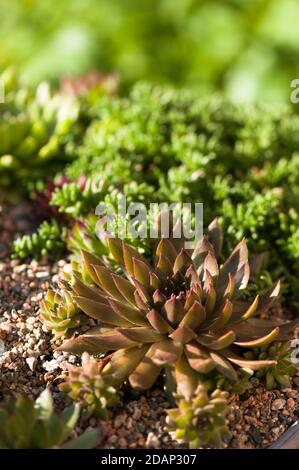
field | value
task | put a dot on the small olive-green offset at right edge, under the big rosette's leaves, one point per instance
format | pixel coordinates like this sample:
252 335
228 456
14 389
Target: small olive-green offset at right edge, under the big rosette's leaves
280 373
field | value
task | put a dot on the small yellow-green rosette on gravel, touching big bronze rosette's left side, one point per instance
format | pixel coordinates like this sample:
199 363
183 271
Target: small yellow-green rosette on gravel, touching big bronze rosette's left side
59 313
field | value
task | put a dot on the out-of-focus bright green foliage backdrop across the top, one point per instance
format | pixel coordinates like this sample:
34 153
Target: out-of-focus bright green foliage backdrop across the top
248 48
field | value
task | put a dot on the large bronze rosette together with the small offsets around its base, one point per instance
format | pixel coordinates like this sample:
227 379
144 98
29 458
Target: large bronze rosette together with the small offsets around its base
183 316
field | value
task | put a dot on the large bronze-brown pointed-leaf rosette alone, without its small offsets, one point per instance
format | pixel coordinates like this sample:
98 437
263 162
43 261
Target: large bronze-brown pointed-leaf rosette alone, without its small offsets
183 306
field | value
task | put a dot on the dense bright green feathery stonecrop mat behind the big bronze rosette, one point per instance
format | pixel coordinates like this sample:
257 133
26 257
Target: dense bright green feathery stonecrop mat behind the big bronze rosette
179 148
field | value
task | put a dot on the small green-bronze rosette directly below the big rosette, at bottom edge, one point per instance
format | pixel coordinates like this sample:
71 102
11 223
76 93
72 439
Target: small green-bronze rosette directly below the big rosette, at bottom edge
200 419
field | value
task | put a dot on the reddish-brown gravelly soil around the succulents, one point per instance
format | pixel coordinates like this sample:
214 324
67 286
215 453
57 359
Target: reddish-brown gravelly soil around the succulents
29 363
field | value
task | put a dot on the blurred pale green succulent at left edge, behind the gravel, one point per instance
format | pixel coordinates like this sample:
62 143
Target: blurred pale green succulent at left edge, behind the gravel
40 128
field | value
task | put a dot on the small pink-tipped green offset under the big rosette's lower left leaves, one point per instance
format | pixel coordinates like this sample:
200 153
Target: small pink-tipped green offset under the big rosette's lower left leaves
86 385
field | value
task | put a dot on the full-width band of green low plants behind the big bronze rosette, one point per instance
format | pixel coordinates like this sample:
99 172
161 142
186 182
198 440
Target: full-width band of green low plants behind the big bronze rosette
154 144
